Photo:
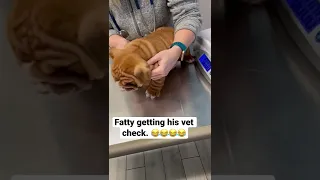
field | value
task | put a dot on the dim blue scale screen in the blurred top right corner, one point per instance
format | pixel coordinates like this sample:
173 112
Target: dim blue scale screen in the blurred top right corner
307 12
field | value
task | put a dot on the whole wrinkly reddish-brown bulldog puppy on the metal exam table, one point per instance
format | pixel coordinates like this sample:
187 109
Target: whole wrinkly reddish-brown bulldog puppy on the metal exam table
130 68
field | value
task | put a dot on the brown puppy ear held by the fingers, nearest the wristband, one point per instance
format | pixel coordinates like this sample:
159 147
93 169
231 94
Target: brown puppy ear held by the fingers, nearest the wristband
143 74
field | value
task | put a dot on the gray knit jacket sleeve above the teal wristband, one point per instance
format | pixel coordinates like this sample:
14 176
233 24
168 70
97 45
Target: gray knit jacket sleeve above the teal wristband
185 14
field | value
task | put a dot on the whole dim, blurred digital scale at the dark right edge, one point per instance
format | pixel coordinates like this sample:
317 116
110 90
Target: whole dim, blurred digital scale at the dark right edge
306 16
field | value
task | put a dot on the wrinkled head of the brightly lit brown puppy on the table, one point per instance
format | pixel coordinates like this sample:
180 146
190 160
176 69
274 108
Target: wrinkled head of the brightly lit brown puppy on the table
129 70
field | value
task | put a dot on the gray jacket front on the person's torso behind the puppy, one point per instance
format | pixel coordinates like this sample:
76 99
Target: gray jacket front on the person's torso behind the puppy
137 17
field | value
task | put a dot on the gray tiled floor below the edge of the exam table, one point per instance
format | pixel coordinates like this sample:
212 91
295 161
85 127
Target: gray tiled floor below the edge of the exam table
189 161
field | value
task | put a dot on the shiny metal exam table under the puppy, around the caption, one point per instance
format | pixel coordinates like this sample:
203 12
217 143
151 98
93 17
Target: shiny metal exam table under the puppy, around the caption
186 93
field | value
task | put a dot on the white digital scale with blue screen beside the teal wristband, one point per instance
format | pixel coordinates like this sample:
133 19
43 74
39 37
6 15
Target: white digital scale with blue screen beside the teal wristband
201 50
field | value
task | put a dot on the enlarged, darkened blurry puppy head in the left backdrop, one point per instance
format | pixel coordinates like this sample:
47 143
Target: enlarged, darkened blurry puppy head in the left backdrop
63 42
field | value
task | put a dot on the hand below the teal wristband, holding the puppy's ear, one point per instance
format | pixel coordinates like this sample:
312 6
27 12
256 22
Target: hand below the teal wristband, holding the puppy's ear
167 60
